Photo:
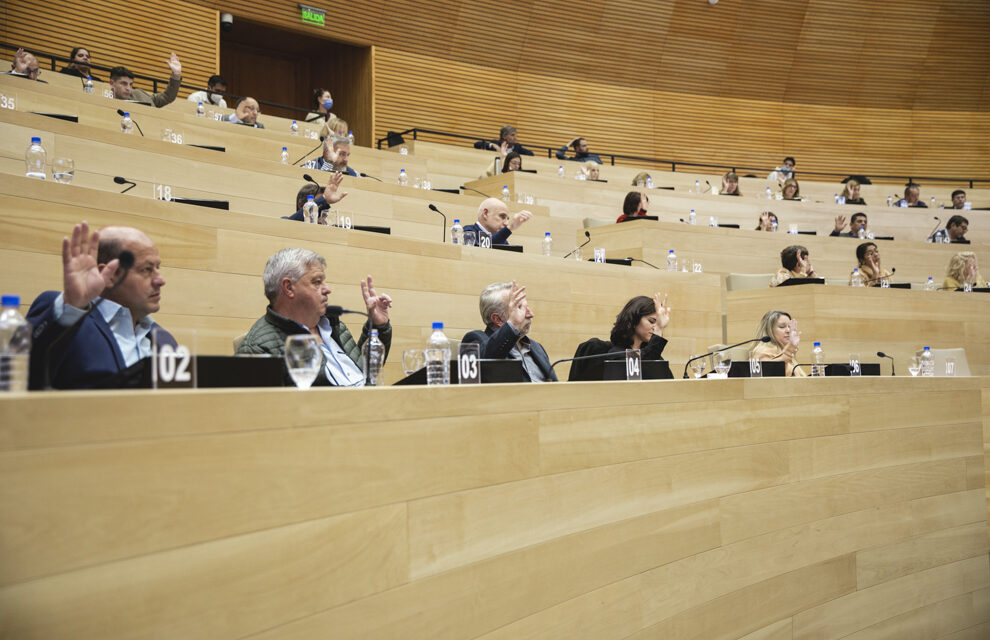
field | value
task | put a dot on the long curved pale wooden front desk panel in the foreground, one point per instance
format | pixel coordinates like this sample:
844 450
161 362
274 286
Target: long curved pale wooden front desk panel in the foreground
696 509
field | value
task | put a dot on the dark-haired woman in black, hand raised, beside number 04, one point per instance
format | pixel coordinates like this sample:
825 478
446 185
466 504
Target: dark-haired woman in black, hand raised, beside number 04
639 325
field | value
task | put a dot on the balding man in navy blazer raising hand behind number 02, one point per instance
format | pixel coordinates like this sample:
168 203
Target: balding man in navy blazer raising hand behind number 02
117 334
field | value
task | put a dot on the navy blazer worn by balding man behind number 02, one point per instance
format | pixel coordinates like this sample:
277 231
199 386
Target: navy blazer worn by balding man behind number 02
81 360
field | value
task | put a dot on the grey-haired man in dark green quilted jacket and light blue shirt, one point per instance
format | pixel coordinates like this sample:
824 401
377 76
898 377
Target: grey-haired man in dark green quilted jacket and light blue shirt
296 287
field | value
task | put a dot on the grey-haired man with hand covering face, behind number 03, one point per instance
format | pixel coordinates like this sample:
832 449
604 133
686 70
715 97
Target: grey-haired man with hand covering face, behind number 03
507 319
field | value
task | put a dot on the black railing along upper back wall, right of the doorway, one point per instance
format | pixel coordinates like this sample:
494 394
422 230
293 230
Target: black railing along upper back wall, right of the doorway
673 164
